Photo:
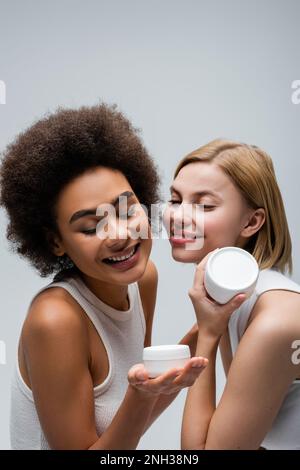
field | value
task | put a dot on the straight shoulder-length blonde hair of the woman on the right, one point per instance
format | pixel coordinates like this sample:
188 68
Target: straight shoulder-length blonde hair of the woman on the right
251 170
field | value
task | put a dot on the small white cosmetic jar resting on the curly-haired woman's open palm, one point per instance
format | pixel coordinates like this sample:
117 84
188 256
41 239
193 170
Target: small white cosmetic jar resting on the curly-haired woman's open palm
159 359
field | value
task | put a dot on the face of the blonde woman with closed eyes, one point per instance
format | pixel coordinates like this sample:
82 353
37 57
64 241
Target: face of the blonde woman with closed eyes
225 212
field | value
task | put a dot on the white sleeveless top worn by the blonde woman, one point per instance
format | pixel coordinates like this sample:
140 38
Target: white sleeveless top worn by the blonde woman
285 431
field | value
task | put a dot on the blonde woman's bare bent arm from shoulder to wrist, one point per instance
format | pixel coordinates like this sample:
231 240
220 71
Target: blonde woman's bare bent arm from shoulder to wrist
259 377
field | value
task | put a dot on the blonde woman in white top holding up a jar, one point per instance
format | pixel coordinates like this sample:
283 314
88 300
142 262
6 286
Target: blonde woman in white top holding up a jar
260 405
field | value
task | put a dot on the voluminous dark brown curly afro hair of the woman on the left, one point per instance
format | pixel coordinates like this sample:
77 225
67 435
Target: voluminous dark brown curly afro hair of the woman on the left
48 155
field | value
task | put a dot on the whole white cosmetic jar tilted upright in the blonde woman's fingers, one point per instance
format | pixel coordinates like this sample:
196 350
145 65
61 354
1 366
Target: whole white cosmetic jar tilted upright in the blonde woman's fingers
230 271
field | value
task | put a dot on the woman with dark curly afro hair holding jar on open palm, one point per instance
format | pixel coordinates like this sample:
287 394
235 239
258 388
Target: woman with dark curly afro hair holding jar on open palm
85 330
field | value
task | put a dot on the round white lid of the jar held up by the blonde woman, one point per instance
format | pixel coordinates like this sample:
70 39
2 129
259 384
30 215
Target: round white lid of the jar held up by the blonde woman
232 268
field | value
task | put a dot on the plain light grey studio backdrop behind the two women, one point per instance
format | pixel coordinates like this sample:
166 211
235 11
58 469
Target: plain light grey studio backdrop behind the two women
185 72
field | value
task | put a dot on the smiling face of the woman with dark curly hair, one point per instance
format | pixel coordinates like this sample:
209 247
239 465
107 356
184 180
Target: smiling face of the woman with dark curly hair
77 222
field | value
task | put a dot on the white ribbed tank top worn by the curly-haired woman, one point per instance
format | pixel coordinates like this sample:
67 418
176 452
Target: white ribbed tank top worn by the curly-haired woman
122 333
